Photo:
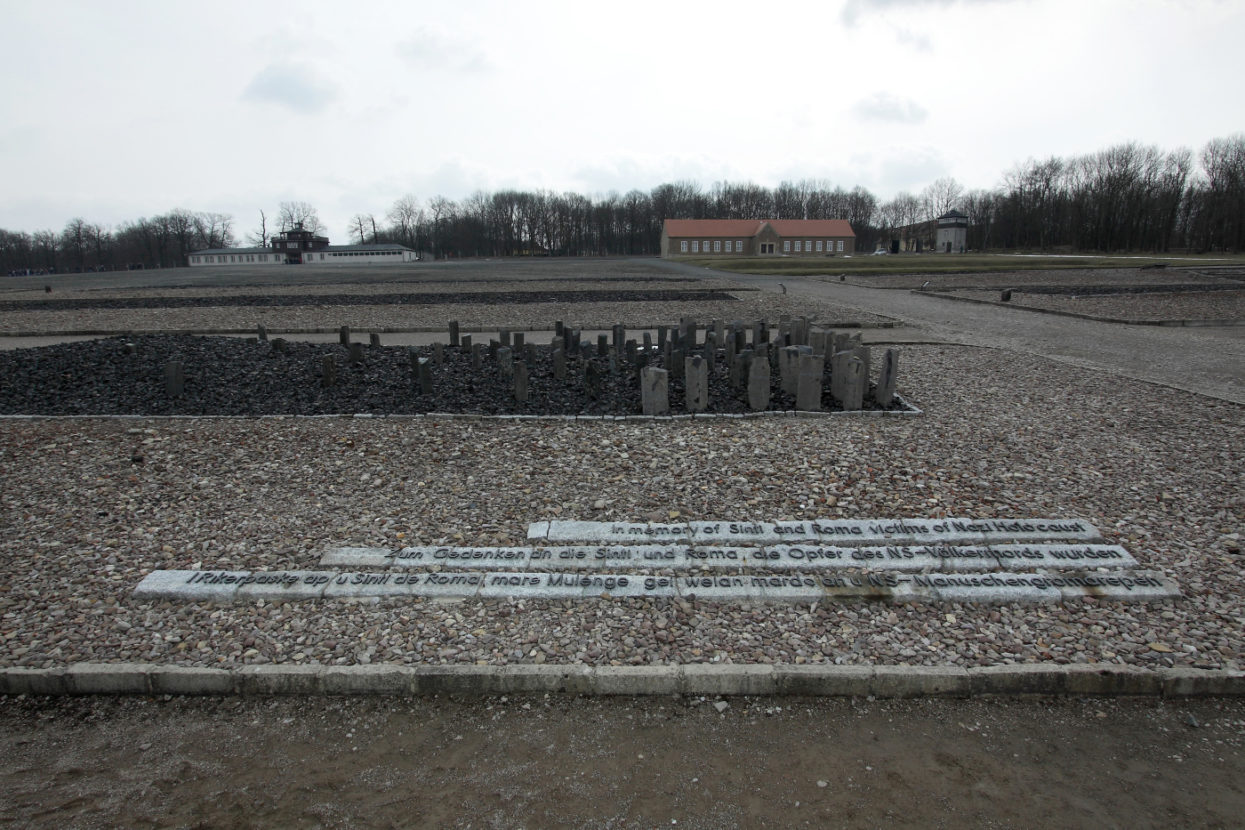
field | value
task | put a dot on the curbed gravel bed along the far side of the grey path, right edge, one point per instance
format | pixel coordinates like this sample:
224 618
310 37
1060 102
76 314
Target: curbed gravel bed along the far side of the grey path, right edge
1132 308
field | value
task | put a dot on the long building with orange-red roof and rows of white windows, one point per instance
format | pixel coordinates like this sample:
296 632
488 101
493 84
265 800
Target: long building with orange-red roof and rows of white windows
758 238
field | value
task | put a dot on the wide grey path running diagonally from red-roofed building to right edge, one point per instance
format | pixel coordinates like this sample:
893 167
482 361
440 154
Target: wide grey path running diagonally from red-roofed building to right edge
1205 360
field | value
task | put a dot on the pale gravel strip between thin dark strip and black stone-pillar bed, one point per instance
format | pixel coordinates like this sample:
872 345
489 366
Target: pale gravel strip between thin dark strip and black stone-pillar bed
484 317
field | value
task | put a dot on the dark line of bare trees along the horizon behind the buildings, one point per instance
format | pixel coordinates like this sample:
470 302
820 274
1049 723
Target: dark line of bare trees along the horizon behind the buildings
1131 197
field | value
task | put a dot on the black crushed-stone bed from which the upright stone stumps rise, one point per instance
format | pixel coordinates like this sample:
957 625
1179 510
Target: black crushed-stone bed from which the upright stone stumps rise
230 376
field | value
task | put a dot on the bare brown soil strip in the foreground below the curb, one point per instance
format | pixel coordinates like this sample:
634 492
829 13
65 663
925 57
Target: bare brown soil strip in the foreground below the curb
536 762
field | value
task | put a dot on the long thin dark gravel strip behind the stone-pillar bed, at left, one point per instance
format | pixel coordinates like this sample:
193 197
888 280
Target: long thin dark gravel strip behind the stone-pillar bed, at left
472 298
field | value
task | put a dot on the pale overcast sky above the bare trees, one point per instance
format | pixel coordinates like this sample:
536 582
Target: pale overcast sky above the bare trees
118 110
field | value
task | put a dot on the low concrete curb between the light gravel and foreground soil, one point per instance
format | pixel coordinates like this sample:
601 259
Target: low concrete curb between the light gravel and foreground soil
693 679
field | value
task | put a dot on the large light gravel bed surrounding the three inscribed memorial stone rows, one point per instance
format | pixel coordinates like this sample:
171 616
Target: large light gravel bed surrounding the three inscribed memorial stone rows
1156 470
